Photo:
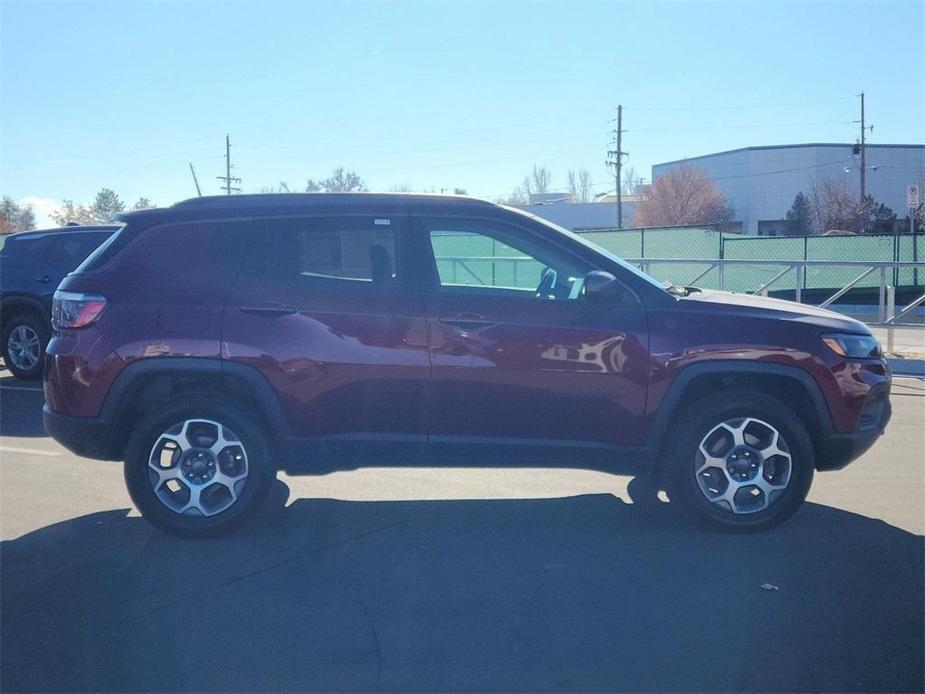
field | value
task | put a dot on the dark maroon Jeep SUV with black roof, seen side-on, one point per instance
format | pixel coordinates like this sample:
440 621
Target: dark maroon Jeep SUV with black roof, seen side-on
211 343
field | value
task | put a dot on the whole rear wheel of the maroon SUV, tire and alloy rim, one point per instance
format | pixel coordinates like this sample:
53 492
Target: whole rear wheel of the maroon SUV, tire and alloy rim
198 469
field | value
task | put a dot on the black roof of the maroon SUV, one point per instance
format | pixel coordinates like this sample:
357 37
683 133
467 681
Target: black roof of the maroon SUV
276 203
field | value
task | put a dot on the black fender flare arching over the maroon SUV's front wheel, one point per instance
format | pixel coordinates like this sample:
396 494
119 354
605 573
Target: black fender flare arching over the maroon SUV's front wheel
673 398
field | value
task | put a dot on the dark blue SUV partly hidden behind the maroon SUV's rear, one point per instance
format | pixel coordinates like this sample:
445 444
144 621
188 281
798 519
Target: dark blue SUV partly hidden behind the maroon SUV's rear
32 263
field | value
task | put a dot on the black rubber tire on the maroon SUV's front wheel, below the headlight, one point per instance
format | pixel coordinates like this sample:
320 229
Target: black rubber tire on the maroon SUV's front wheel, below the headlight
683 458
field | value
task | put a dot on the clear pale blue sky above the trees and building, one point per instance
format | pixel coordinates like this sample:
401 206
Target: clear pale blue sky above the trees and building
432 94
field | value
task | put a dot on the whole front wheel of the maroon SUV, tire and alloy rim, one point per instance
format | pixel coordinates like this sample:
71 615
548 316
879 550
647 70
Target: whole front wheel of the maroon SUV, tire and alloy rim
742 461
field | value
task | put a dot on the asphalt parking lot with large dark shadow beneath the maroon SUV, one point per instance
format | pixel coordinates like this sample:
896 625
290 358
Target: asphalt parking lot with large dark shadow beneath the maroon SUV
462 580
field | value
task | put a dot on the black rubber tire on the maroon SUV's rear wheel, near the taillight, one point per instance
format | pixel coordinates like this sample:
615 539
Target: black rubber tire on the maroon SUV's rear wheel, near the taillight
261 470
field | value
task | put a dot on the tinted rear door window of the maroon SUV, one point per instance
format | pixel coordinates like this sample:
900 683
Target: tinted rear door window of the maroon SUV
337 252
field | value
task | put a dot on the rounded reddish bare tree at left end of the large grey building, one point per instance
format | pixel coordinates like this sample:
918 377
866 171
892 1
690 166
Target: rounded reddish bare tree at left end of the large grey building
684 195
